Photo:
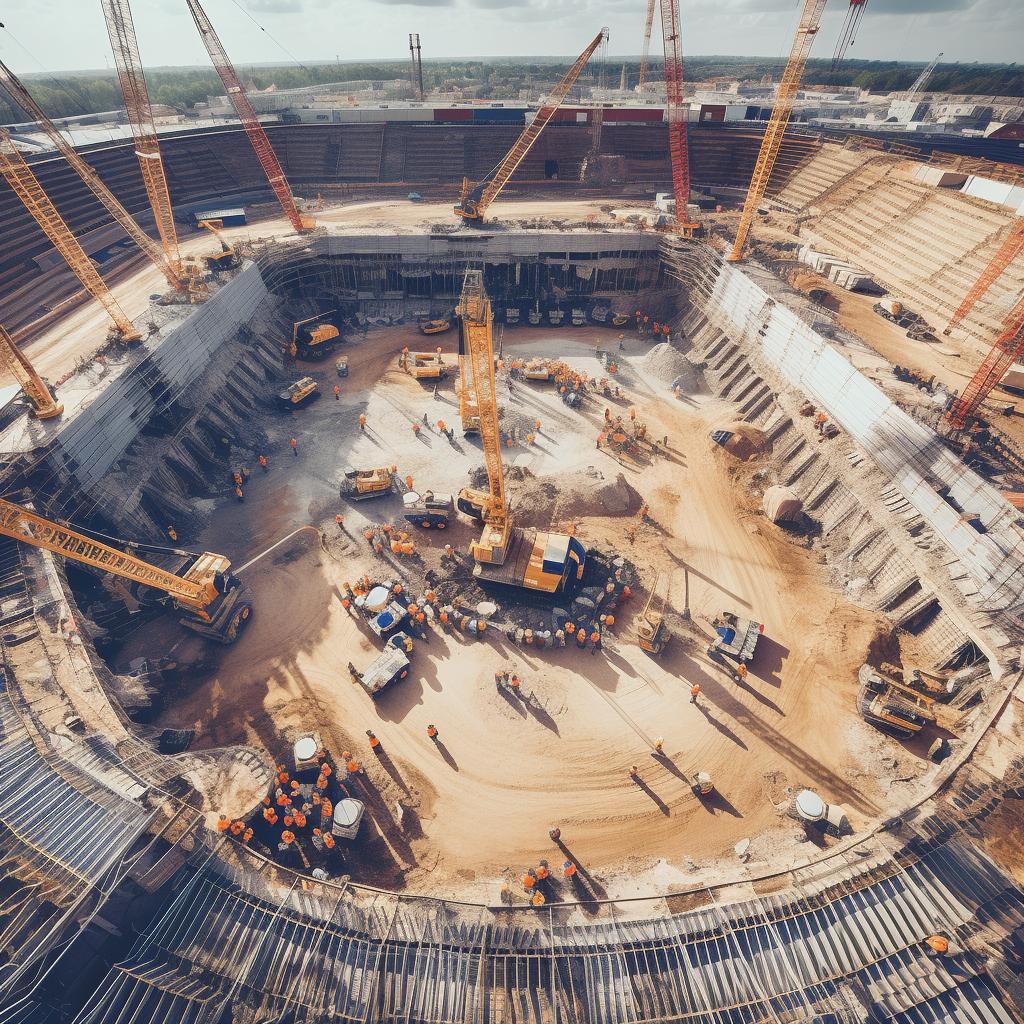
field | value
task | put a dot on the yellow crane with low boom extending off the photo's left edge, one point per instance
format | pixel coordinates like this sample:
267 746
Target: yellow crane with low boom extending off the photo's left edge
215 604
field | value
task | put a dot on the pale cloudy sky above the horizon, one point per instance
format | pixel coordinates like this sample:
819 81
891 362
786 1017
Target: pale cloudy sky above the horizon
70 35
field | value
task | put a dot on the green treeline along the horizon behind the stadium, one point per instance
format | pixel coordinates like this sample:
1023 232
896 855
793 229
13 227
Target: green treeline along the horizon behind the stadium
183 89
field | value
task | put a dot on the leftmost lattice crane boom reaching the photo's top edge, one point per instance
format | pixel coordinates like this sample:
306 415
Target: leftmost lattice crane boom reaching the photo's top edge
117 14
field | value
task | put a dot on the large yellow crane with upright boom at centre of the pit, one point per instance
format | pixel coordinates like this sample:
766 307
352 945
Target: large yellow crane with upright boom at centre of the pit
504 556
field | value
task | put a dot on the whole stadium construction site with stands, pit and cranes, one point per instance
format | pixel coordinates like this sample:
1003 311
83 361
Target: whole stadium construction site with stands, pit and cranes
586 602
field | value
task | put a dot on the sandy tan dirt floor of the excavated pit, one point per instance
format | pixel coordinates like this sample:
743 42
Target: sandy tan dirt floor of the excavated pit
480 803
